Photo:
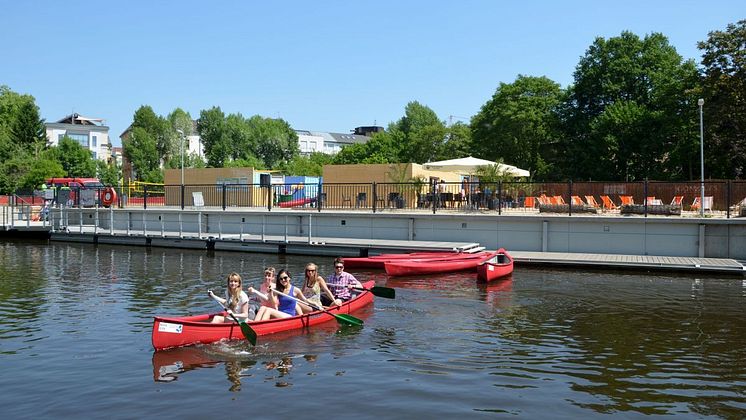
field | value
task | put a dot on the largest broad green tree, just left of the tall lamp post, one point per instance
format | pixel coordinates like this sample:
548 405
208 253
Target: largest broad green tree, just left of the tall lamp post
626 117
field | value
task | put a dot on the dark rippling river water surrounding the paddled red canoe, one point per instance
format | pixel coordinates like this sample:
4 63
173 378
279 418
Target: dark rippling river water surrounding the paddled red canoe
75 325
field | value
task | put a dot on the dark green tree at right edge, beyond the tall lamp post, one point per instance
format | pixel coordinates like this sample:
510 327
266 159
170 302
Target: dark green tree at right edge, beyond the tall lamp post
724 91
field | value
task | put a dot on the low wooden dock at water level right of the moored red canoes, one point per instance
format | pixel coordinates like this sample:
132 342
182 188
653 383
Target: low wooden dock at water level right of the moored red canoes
724 265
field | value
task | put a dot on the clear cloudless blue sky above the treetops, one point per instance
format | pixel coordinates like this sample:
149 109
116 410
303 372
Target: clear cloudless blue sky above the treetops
320 65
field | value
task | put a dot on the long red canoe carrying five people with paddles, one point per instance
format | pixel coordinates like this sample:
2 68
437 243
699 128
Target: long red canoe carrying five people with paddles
182 331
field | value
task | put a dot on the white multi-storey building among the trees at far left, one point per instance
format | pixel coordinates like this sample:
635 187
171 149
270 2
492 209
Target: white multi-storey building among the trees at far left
91 133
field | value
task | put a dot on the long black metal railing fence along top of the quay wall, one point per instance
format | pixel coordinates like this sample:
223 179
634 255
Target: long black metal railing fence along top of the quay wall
722 198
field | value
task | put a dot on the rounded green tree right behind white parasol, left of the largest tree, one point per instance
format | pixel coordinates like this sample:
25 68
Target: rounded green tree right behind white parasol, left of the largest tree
519 124
